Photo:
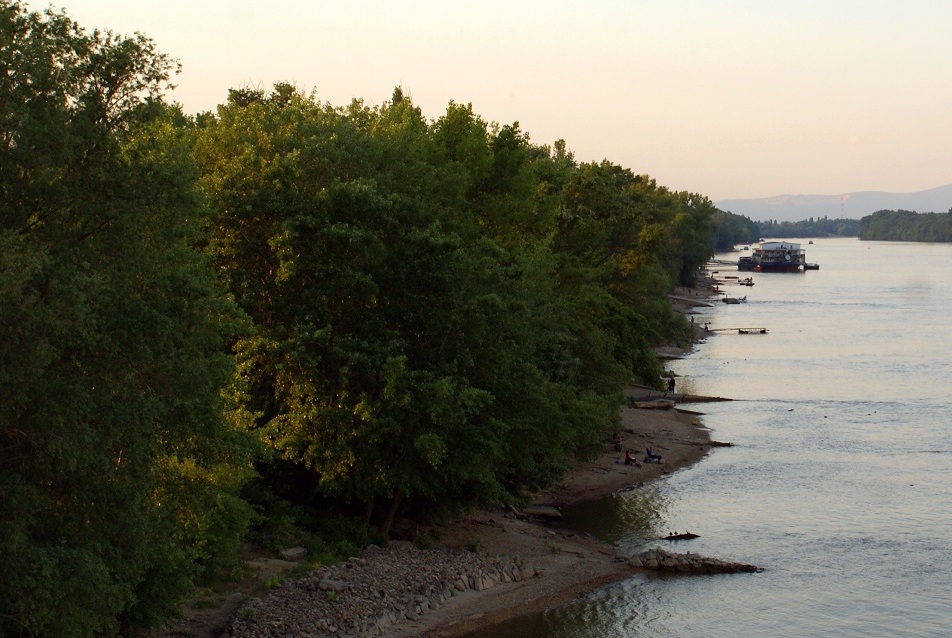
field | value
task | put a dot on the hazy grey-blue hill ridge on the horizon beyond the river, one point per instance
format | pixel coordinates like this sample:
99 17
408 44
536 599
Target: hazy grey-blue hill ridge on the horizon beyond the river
794 208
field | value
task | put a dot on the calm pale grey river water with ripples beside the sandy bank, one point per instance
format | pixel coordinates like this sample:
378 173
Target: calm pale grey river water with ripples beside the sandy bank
839 483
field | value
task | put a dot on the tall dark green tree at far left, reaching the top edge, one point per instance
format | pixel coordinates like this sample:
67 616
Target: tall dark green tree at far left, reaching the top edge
112 351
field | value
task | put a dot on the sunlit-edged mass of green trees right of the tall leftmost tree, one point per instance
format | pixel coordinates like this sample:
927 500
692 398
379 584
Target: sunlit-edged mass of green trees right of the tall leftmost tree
444 313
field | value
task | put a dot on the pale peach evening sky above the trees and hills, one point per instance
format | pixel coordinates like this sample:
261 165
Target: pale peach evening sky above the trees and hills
726 98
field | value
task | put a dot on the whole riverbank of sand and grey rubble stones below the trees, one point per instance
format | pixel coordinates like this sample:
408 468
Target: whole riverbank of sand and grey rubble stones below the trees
490 566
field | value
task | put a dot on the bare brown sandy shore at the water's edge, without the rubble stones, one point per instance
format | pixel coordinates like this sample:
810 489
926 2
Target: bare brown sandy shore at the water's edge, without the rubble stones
571 564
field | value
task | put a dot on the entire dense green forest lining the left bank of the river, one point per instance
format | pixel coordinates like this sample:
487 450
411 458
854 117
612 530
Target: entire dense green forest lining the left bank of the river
289 321
